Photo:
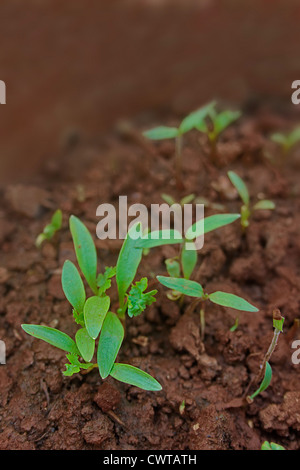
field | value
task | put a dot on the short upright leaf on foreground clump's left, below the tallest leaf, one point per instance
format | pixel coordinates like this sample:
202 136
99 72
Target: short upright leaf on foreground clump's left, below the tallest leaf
73 286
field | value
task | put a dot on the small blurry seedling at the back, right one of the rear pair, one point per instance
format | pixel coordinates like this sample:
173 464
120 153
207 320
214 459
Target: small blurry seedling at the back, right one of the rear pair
216 123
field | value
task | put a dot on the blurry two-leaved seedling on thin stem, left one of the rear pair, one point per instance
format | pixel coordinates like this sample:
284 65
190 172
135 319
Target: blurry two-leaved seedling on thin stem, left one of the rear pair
163 132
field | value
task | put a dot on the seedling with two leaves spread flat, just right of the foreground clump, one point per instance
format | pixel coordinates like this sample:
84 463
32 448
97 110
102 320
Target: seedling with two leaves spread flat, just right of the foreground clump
194 289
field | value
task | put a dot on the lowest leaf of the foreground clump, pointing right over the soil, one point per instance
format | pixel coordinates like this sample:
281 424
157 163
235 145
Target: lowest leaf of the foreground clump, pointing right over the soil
134 376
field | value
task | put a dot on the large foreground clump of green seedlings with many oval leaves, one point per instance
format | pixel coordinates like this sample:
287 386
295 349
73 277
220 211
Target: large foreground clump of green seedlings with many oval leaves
94 315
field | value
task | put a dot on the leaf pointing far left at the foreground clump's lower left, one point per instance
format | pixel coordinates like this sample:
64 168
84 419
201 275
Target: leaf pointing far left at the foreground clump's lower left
52 336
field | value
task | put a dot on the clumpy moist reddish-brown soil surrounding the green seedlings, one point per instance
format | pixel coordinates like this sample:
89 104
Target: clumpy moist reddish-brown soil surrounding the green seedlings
42 409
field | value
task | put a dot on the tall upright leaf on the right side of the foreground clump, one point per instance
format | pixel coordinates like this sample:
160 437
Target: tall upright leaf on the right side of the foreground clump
128 262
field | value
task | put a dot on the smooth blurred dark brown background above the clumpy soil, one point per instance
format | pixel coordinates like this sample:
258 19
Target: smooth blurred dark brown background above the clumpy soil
77 67
